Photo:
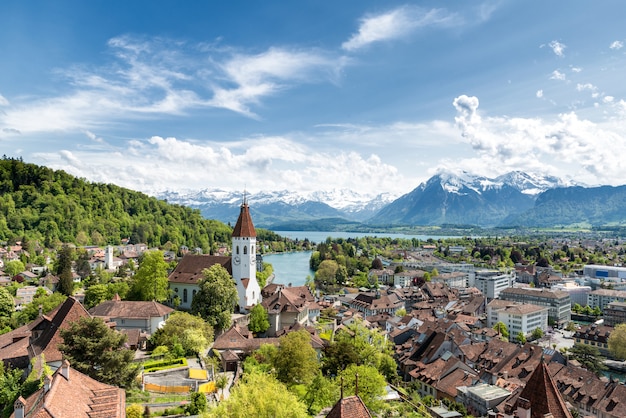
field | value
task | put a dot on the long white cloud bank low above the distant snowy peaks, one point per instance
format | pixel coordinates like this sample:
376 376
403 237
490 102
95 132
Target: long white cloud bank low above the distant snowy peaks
259 164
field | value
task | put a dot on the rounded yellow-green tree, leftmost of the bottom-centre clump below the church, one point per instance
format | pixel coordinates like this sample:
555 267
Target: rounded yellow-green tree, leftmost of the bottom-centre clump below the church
296 360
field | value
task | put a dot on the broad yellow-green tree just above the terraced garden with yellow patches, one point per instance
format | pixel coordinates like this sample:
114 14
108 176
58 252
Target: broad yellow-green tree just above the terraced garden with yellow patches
192 332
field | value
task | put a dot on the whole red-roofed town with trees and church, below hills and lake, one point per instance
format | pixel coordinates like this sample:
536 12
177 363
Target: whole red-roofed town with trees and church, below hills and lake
459 327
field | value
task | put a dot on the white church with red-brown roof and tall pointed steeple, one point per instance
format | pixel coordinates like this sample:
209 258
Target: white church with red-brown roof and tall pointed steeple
183 281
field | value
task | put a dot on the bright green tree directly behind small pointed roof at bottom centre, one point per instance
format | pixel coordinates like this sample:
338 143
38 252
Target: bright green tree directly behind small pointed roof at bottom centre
371 384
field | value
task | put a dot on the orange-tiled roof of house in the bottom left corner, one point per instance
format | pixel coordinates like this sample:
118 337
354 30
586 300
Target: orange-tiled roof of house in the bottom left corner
70 393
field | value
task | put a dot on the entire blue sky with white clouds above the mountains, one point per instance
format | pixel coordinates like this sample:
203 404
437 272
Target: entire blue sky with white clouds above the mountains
309 95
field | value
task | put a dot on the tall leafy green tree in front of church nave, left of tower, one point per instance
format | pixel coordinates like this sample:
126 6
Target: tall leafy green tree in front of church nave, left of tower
216 299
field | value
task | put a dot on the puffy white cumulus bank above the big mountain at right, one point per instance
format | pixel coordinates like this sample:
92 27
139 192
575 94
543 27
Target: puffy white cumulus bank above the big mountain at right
566 145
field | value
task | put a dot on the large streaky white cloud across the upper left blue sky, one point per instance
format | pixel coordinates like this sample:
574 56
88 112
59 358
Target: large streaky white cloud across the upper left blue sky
155 77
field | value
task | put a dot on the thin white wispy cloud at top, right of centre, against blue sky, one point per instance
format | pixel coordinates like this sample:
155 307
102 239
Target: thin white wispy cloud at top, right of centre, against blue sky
396 24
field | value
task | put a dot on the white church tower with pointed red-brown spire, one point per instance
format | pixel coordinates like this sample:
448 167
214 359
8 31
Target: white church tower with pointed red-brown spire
244 259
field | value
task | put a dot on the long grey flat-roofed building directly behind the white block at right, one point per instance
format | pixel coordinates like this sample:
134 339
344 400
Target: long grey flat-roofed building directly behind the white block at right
558 302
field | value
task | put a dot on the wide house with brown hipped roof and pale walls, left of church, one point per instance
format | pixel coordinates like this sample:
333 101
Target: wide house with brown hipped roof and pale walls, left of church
141 315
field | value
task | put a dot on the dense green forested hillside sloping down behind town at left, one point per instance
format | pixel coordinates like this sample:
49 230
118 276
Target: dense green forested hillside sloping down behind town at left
54 207
